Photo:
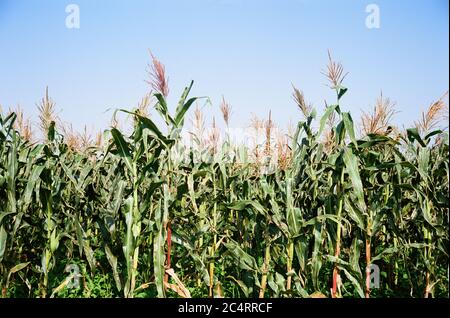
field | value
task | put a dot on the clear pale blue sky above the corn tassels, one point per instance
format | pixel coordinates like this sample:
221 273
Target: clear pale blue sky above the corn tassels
250 51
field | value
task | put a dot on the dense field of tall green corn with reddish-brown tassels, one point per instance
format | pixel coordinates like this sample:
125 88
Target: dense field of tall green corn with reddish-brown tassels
137 221
